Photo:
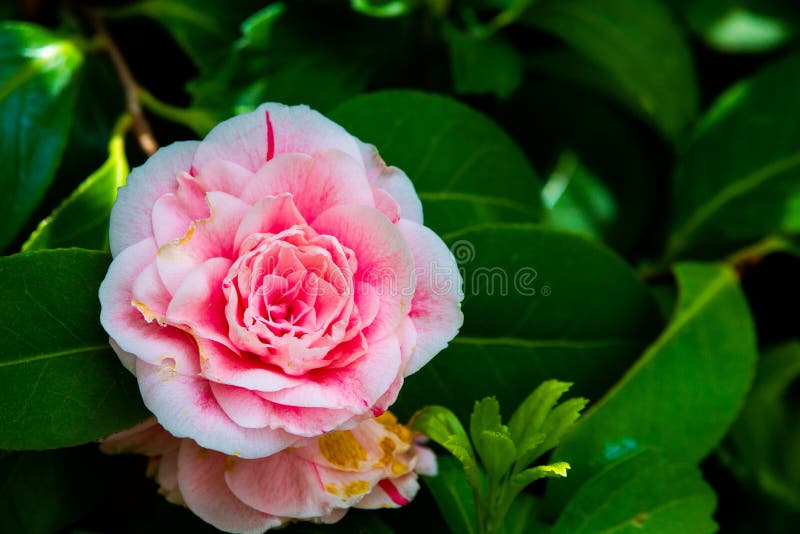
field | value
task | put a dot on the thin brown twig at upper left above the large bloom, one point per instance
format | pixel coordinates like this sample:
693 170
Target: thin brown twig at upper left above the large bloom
141 128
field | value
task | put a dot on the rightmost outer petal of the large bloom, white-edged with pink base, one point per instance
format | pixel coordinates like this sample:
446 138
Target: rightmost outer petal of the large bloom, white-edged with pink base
436 306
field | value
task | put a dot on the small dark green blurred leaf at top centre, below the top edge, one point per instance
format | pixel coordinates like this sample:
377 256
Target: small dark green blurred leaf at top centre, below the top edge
483 64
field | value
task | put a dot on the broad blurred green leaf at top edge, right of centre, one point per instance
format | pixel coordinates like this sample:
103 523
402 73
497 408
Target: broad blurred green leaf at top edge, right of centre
640 48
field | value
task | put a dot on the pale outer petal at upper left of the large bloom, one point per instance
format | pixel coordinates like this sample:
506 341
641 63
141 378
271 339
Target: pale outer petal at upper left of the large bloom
131 214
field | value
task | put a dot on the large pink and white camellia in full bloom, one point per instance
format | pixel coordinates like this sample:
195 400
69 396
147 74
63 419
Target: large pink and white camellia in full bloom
273 282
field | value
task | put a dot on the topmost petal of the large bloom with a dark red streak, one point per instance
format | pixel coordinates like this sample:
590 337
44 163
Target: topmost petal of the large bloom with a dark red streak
252 139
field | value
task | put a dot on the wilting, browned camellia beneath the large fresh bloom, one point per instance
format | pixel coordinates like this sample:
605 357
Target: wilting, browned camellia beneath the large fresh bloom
375 465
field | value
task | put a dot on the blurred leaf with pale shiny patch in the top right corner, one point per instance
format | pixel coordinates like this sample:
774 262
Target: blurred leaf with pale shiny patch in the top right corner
742 26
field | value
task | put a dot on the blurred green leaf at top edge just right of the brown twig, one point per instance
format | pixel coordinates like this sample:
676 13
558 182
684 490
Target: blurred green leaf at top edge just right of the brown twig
204 29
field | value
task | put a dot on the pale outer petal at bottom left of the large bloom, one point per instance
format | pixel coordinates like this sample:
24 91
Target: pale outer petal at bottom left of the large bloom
186 407
